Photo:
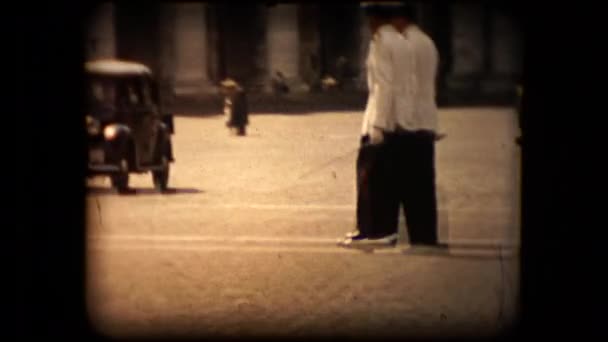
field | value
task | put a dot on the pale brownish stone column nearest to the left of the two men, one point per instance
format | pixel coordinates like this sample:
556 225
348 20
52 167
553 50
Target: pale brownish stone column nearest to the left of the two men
283 43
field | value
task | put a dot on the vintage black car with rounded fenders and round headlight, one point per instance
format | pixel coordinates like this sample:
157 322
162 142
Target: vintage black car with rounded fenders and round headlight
127 131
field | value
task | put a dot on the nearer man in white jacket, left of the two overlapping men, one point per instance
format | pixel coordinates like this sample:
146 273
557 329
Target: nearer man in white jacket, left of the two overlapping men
390 105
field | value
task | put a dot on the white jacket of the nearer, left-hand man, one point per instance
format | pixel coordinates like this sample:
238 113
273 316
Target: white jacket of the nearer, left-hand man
390 79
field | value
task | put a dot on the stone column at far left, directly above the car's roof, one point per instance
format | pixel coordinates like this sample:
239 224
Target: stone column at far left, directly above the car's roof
101 35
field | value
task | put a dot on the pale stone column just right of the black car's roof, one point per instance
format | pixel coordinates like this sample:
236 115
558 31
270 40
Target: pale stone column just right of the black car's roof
191 76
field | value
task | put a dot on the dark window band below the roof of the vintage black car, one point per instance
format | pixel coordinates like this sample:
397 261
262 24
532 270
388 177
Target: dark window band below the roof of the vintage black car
107 96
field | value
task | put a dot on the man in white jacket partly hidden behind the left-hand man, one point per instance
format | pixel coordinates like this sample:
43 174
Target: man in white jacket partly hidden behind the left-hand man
411 147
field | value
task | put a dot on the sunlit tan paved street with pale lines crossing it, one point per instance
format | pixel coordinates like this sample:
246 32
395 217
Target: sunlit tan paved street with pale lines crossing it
245 244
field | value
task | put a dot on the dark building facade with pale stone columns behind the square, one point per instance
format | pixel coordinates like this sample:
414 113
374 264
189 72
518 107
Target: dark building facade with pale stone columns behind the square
192 46
